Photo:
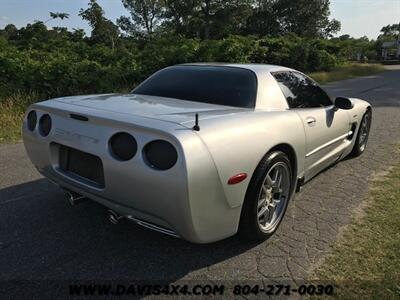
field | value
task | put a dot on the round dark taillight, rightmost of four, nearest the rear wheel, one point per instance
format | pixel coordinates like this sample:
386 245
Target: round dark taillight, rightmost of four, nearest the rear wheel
160 155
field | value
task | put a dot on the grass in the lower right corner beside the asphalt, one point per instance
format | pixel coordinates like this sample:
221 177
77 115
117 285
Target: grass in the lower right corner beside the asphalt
366 261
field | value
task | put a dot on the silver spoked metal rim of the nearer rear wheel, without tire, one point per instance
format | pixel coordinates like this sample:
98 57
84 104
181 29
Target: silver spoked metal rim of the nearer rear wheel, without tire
273 197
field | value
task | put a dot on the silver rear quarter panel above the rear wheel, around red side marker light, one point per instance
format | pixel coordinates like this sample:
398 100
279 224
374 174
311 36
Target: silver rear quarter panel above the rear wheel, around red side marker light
239 142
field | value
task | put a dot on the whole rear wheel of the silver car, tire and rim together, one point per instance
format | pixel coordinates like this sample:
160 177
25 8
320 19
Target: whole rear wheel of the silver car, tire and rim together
267 197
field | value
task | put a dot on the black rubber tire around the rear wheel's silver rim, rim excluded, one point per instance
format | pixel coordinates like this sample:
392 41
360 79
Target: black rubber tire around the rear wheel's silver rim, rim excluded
249 227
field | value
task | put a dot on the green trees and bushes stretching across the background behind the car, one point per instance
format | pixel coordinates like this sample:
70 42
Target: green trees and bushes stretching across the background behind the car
157 33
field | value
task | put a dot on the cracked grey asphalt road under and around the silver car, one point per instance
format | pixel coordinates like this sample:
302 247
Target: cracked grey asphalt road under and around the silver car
43 238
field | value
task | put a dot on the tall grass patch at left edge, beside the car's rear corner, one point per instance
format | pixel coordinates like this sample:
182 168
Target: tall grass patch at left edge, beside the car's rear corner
12 111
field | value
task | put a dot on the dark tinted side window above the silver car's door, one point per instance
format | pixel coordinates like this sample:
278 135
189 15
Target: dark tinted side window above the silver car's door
300 91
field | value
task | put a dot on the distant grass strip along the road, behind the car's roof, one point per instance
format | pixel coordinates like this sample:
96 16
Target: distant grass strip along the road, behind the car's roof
346 71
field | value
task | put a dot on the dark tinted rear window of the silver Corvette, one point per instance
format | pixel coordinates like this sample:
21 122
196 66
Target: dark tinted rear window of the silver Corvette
208 84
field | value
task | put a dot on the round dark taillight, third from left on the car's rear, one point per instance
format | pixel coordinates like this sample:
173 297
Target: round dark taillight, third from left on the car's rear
123 146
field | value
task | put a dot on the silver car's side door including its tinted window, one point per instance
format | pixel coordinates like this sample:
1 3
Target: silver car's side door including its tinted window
326 128
